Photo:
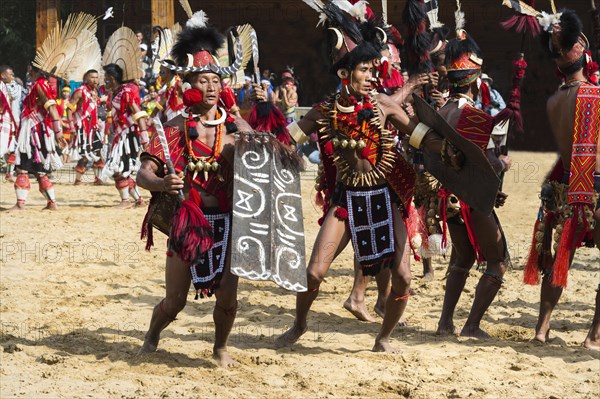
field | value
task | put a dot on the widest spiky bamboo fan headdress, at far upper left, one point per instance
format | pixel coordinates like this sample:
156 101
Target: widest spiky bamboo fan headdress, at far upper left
65 49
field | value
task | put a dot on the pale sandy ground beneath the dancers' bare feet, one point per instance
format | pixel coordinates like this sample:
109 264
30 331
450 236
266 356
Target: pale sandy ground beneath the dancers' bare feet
77 289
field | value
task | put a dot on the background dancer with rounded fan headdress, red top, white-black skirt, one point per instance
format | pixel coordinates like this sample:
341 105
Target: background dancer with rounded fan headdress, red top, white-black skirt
124 114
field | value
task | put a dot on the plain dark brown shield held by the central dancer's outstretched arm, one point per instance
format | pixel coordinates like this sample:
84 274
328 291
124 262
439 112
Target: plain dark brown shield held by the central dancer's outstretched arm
475 183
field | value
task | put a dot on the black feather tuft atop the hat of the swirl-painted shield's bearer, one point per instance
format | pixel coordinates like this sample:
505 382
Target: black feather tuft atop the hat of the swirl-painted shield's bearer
192 40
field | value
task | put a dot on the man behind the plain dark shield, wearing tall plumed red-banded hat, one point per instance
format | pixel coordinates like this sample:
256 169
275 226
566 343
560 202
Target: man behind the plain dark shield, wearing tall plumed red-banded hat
475 236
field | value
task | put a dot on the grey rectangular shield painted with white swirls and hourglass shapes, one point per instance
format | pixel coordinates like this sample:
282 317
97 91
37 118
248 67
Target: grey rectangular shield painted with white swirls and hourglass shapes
268 225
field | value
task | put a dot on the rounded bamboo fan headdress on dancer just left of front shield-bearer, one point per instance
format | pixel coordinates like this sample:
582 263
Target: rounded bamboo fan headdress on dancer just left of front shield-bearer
123 49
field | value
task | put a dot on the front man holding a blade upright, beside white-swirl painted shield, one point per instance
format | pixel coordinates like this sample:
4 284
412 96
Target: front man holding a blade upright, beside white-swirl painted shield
201 146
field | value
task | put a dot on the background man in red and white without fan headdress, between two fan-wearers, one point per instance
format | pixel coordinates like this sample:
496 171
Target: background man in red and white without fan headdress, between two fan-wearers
87 137
